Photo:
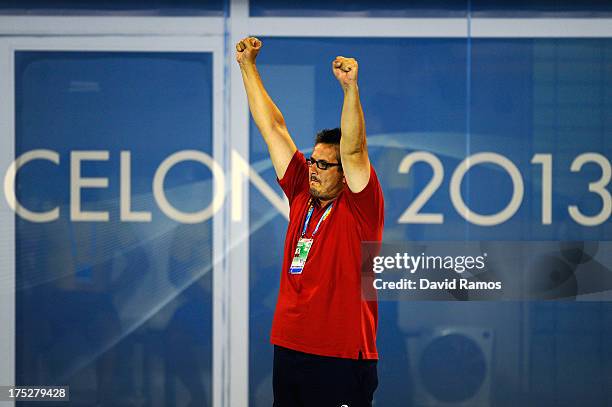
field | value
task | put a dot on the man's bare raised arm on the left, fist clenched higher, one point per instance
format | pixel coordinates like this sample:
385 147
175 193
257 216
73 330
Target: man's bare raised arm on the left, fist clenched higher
268 118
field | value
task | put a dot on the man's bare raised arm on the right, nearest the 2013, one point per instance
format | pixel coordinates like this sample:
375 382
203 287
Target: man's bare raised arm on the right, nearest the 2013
353 146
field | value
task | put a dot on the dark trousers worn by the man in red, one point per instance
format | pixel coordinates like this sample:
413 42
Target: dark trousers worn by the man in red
305 380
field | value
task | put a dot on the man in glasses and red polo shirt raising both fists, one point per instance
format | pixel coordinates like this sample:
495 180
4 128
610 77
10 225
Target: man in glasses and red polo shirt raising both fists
324 332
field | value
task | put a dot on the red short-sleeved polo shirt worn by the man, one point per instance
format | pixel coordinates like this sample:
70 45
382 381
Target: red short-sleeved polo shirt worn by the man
321 310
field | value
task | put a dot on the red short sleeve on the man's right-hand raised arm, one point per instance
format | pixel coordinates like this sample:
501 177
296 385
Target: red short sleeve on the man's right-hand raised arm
368 207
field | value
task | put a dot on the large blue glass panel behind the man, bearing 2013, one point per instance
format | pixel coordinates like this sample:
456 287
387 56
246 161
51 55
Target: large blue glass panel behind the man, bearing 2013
521 98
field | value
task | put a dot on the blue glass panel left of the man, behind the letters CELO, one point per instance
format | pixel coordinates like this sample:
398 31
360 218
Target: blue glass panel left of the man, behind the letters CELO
119 310
